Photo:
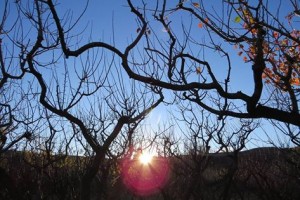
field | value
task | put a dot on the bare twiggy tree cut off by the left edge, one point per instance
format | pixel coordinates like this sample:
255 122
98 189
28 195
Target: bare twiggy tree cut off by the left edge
16 114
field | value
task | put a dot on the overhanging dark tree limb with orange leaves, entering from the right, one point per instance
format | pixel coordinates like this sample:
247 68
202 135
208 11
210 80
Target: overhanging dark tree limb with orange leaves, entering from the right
182 63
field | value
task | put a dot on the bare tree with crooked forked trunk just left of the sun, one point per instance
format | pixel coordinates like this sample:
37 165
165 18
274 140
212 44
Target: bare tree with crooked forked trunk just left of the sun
86 93
